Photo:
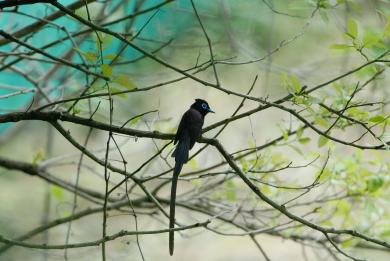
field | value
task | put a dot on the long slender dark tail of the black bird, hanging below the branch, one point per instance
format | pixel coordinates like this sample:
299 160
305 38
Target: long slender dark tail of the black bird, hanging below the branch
181 157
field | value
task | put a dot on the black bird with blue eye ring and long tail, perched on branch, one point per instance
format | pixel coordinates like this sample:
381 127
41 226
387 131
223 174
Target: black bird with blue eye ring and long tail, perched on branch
189 131
